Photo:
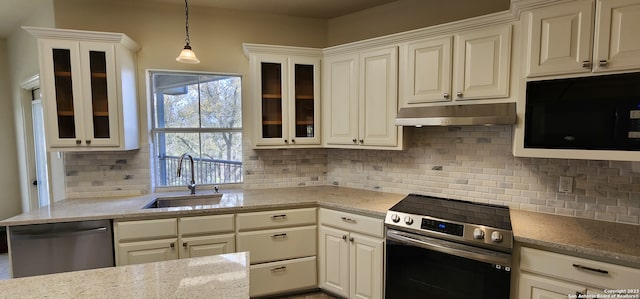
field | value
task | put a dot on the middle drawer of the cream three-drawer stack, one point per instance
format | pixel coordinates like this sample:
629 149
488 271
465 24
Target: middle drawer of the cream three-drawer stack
278 244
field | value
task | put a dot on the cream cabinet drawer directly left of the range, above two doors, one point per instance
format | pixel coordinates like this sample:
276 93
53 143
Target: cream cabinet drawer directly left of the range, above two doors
352 222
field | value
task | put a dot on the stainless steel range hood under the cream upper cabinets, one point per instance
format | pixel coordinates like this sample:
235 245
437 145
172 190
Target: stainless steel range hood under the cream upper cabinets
458 115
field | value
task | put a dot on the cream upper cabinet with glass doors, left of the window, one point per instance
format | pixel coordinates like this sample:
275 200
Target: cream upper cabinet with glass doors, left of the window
88 81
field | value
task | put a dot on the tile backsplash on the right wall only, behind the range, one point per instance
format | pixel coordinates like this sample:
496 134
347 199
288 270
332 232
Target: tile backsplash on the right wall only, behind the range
476 163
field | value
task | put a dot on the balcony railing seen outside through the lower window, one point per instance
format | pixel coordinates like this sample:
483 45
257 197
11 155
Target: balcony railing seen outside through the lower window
207 171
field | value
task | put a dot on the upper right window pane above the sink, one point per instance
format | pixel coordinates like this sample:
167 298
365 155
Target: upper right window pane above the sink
221 103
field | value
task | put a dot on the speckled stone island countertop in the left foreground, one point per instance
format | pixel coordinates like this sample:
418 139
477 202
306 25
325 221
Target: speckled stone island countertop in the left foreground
219 276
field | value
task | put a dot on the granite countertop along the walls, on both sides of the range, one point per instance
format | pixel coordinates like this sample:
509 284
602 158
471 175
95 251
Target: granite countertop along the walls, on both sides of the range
606 241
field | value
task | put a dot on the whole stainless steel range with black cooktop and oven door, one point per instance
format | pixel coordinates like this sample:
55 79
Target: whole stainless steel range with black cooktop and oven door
448 249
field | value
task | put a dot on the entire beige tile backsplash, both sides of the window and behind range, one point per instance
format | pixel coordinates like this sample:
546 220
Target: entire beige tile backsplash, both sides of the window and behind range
471 163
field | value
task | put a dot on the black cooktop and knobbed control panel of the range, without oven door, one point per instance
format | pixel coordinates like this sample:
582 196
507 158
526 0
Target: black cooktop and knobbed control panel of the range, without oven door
479 224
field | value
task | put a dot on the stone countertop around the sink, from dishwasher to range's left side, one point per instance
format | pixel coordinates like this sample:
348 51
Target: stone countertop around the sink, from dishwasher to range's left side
365 202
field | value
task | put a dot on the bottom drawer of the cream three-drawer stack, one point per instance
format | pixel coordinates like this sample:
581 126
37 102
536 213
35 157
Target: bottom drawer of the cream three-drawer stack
284 276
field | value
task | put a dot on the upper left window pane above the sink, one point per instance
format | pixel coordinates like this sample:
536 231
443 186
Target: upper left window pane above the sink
176 101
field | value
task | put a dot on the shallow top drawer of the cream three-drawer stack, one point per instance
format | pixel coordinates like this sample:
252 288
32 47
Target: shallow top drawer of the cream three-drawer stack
279 218
